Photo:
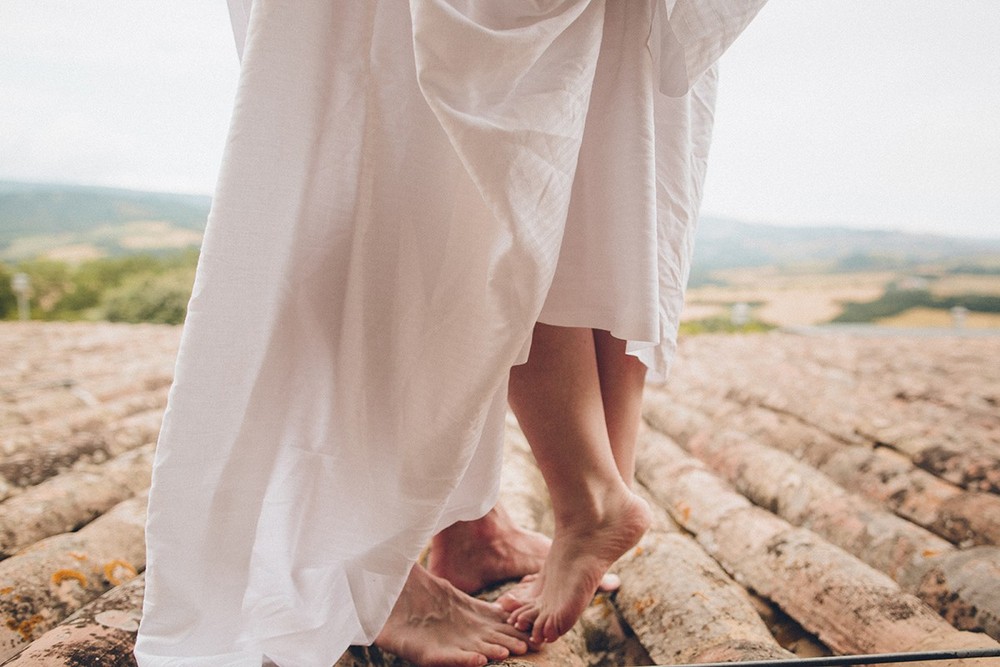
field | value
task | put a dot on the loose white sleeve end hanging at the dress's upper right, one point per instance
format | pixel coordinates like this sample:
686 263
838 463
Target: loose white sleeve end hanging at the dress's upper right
688 36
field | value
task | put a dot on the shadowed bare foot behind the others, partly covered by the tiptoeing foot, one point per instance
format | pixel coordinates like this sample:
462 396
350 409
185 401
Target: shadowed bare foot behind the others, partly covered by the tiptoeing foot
475 554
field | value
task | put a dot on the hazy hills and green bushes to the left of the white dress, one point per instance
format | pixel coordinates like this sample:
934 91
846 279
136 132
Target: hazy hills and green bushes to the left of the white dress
99 253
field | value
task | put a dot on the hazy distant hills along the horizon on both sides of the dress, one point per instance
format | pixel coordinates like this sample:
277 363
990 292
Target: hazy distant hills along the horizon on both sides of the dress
81 222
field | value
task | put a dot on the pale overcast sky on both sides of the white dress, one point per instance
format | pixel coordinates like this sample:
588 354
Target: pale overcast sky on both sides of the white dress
868 113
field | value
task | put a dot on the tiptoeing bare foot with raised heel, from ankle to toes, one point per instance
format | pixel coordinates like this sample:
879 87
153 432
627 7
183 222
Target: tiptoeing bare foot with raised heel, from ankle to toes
583 550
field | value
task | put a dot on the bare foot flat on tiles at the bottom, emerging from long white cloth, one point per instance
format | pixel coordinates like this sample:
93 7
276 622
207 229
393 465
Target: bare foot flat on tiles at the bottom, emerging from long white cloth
435 624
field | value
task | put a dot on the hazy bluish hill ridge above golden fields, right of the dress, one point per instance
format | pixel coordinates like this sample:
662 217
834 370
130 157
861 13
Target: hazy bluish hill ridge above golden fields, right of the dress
727 244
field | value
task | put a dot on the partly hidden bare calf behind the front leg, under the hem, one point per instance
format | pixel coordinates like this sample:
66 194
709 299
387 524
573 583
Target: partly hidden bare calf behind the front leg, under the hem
622 379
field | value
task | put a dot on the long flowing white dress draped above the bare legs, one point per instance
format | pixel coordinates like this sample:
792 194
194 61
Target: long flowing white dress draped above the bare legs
406 190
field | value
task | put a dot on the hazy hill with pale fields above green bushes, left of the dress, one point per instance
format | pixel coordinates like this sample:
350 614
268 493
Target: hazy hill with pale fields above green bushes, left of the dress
82 222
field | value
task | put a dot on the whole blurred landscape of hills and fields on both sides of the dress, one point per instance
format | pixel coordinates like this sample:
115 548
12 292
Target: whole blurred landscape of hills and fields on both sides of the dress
121 255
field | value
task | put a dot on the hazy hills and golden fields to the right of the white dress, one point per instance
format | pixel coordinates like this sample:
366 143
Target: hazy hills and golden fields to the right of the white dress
798 276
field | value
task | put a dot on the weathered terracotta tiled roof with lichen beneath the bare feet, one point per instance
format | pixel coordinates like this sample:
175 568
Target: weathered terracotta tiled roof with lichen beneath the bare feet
814 495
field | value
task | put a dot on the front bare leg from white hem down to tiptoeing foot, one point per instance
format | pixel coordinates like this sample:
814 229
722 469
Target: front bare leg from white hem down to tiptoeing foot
557 398
